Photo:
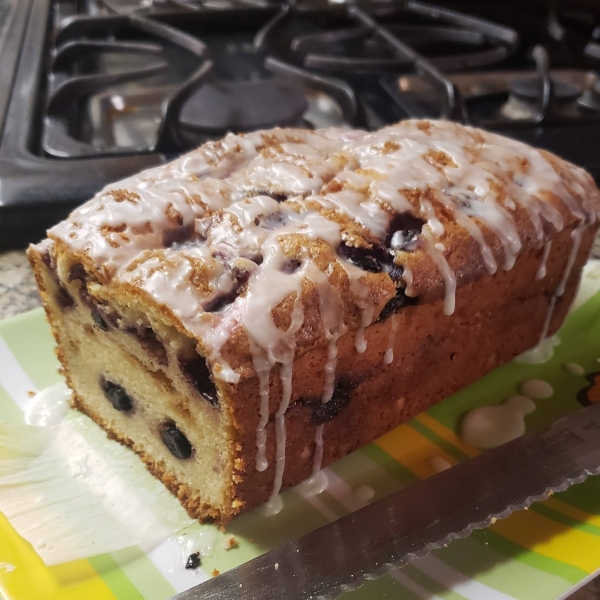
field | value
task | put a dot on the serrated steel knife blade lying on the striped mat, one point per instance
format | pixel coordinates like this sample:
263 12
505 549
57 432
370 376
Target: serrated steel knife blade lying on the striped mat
426 515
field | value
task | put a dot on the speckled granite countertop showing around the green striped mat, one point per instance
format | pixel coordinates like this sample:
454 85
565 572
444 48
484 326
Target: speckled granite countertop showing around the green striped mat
18 293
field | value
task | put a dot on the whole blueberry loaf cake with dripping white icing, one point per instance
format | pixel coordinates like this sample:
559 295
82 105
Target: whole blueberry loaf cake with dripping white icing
268 303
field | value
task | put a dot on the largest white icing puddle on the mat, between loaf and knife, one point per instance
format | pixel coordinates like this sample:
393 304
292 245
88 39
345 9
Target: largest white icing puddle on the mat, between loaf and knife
491 426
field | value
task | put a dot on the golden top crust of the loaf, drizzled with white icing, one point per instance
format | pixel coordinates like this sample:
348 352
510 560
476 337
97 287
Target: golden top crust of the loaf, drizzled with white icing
294 235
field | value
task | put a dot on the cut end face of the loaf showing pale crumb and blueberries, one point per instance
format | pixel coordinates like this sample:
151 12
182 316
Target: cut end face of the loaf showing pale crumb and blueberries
145 384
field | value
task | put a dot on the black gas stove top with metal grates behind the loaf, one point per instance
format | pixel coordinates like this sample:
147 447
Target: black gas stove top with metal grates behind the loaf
93 90
